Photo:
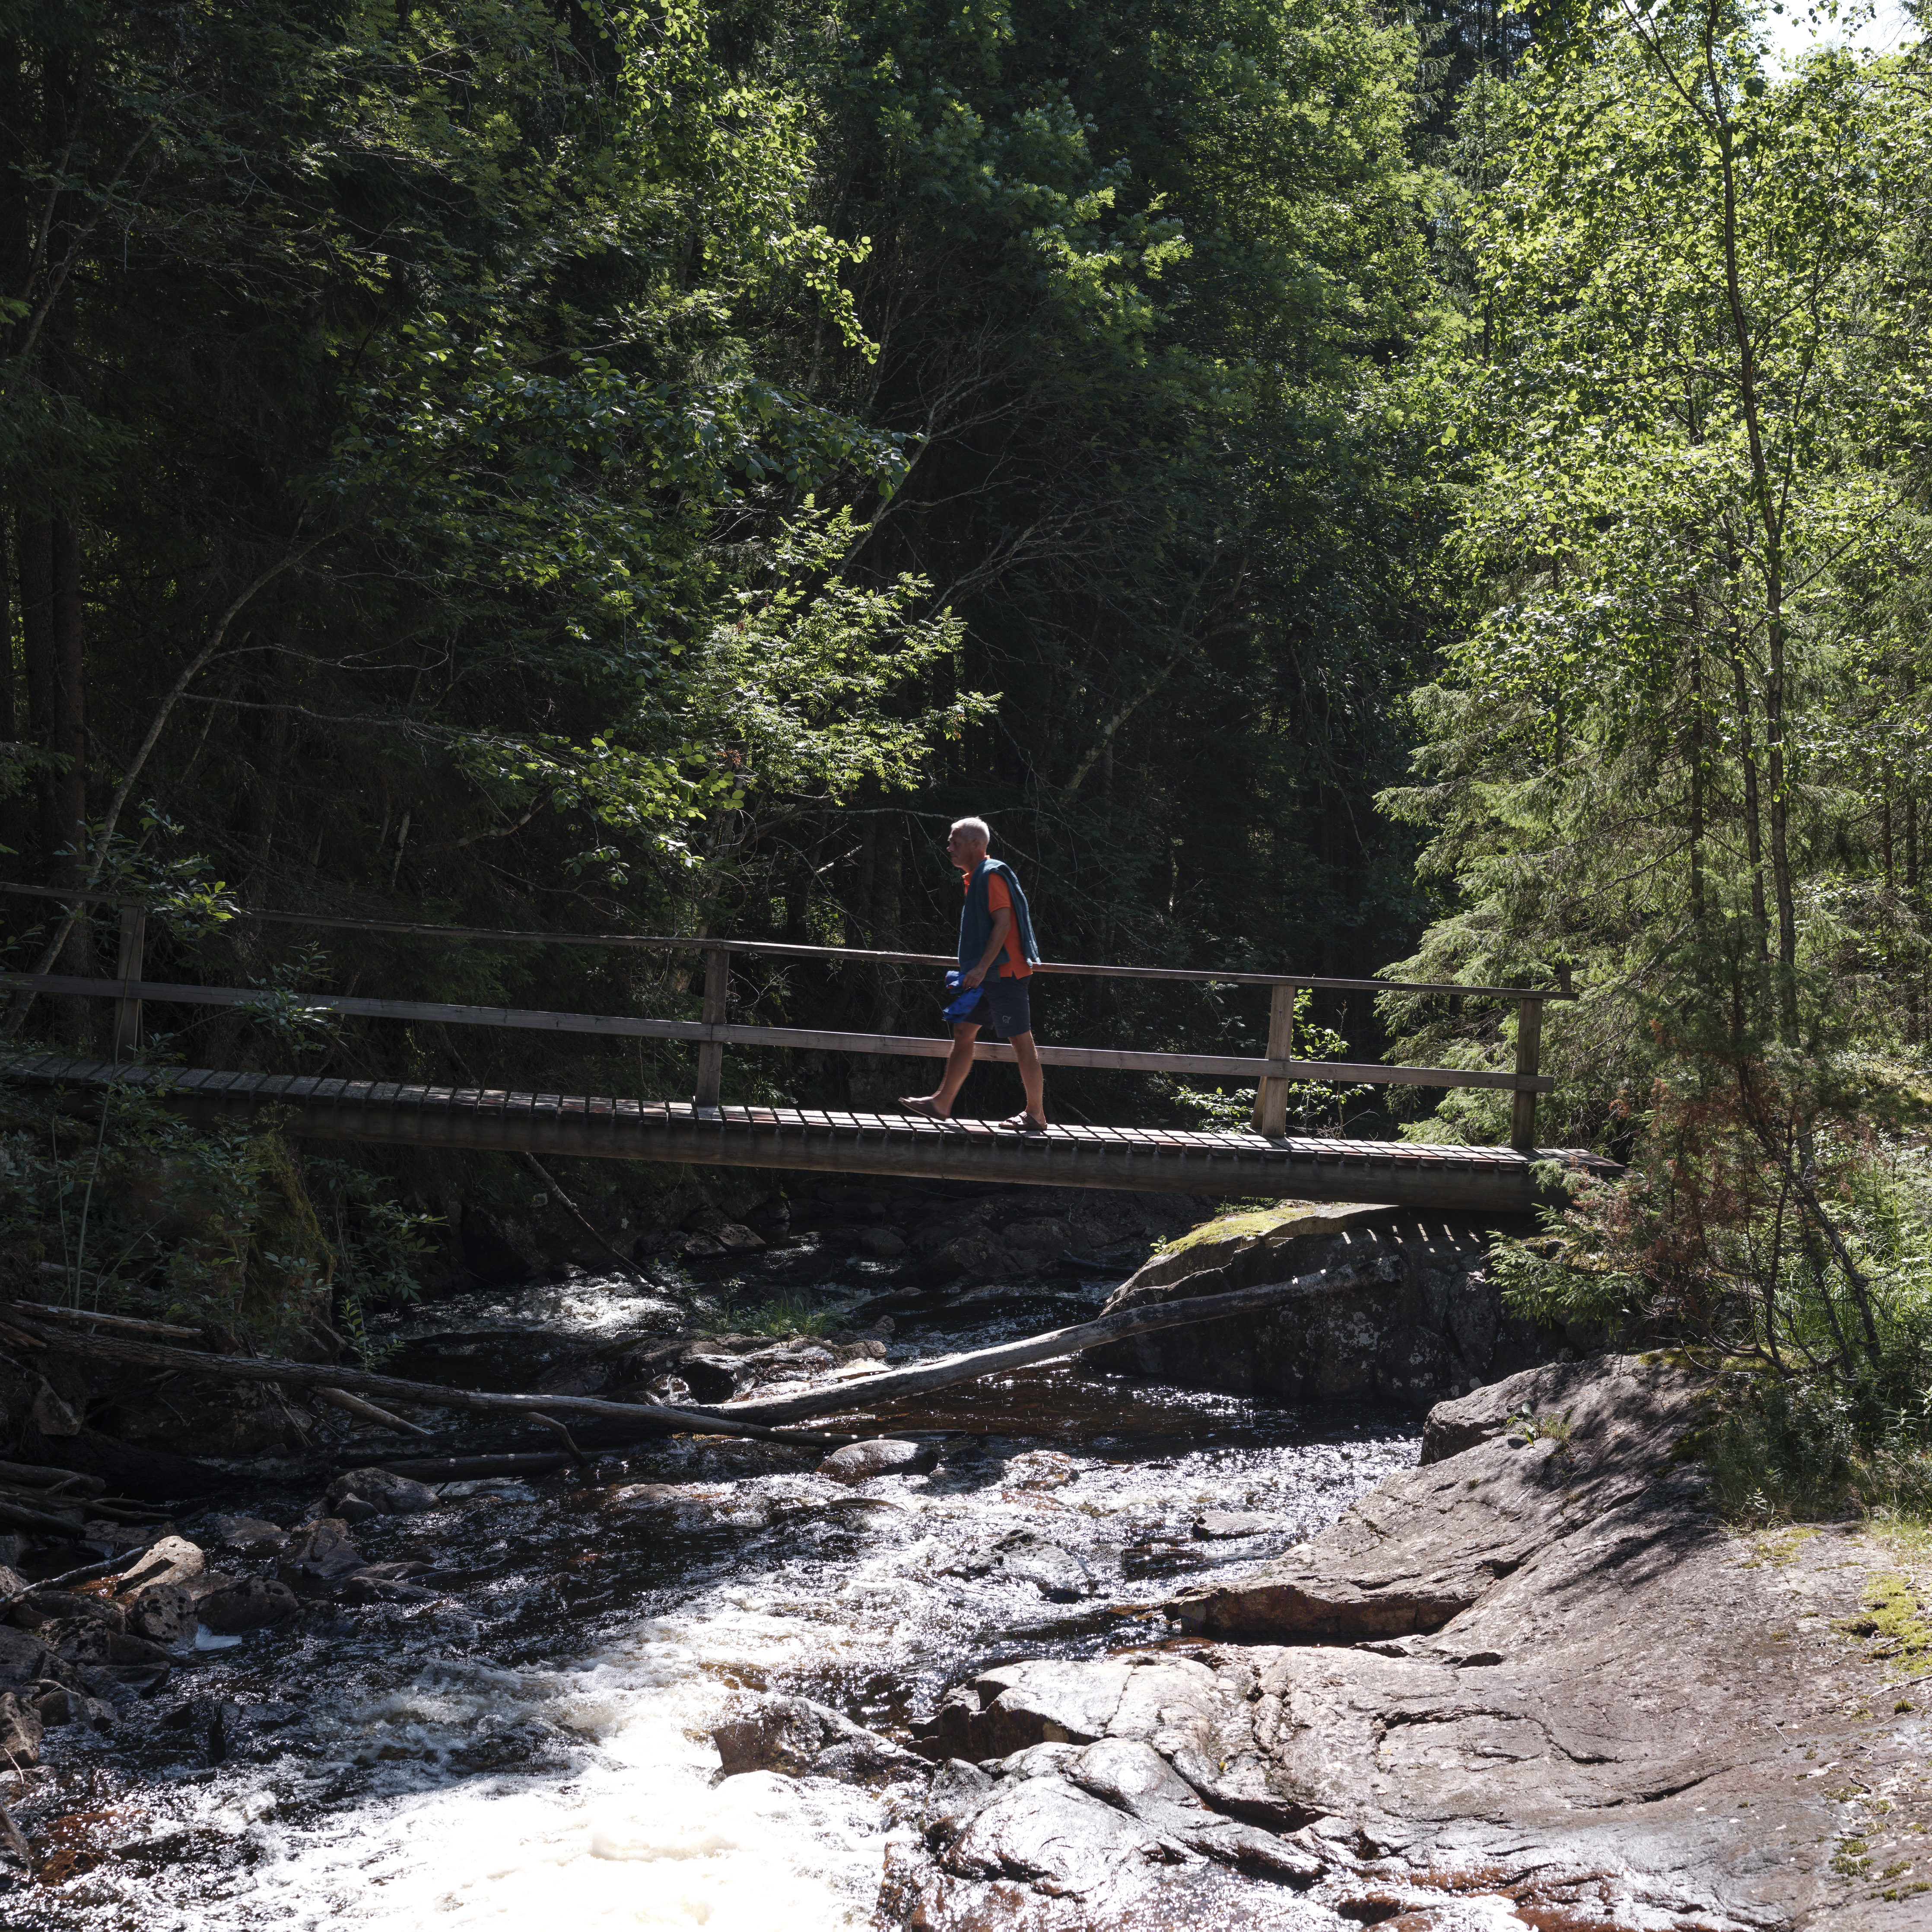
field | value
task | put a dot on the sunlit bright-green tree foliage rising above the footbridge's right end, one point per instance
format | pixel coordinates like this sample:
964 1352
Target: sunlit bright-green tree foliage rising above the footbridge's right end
1670 753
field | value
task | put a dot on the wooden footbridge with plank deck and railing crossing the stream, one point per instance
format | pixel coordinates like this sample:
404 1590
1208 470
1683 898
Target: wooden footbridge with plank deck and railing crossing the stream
1263 1162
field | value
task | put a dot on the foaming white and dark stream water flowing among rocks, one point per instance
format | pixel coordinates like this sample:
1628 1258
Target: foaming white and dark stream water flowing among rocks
530 1746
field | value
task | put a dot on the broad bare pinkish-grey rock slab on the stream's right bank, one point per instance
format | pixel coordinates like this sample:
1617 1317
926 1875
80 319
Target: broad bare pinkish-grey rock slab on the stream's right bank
1620 1722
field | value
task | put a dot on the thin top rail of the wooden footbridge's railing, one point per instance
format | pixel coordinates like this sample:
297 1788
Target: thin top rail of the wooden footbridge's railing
785 950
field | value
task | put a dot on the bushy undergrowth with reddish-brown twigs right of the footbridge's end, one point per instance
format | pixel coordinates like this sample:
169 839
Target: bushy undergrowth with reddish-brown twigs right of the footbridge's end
1776 1228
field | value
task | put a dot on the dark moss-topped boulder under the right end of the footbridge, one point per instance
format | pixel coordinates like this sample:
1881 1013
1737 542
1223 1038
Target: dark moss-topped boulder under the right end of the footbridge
1415 1315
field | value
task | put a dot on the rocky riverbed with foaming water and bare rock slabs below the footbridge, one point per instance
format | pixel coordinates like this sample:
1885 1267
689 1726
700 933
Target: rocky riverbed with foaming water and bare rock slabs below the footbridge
1071 1651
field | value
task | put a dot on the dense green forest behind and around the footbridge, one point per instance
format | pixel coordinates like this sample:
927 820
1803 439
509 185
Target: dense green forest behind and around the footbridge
1344 488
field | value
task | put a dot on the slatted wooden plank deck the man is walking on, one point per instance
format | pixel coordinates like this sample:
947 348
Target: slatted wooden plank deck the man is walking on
1164 1160
